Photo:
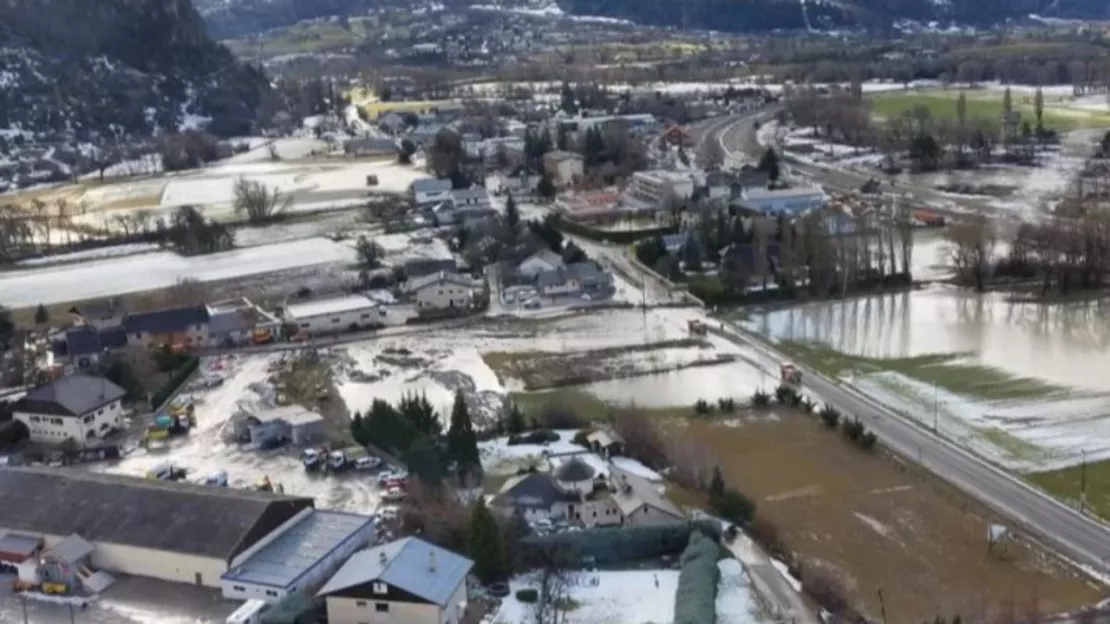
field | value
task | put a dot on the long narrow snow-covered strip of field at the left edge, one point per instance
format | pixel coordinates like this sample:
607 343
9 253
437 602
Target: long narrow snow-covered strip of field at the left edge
136 274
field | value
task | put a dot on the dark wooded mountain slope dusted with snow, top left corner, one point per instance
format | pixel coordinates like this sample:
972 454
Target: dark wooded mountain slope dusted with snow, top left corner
122 67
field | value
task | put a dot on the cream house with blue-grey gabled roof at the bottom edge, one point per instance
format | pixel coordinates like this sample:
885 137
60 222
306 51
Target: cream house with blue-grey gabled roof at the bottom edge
410 581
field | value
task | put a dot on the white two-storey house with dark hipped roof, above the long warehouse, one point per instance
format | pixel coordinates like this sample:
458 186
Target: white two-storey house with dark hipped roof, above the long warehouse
80 408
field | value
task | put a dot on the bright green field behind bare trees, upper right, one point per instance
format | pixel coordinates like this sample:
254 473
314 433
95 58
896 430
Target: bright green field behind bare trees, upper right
982 105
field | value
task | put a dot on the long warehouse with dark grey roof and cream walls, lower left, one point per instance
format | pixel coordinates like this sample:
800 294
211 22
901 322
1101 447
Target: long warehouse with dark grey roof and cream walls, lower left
176 532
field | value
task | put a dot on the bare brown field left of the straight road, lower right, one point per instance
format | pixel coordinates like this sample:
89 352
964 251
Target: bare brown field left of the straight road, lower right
881 526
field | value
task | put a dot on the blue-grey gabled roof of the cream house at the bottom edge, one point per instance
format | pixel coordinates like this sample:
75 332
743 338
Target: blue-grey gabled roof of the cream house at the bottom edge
411 565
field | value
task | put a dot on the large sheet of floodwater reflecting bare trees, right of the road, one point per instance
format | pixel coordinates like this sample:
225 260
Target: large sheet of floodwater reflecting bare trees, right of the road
1064 344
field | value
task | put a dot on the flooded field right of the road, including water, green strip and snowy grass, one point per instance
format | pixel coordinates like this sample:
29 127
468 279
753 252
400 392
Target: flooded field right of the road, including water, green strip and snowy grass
1022 384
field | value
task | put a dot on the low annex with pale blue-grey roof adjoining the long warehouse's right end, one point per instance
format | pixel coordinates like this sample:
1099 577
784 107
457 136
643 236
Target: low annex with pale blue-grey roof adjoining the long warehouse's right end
301 556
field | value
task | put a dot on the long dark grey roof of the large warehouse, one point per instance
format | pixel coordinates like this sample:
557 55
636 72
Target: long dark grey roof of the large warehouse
181 518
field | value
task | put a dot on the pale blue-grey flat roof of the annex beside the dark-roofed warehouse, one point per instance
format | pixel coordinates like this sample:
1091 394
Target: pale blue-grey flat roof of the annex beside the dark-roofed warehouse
281 563
